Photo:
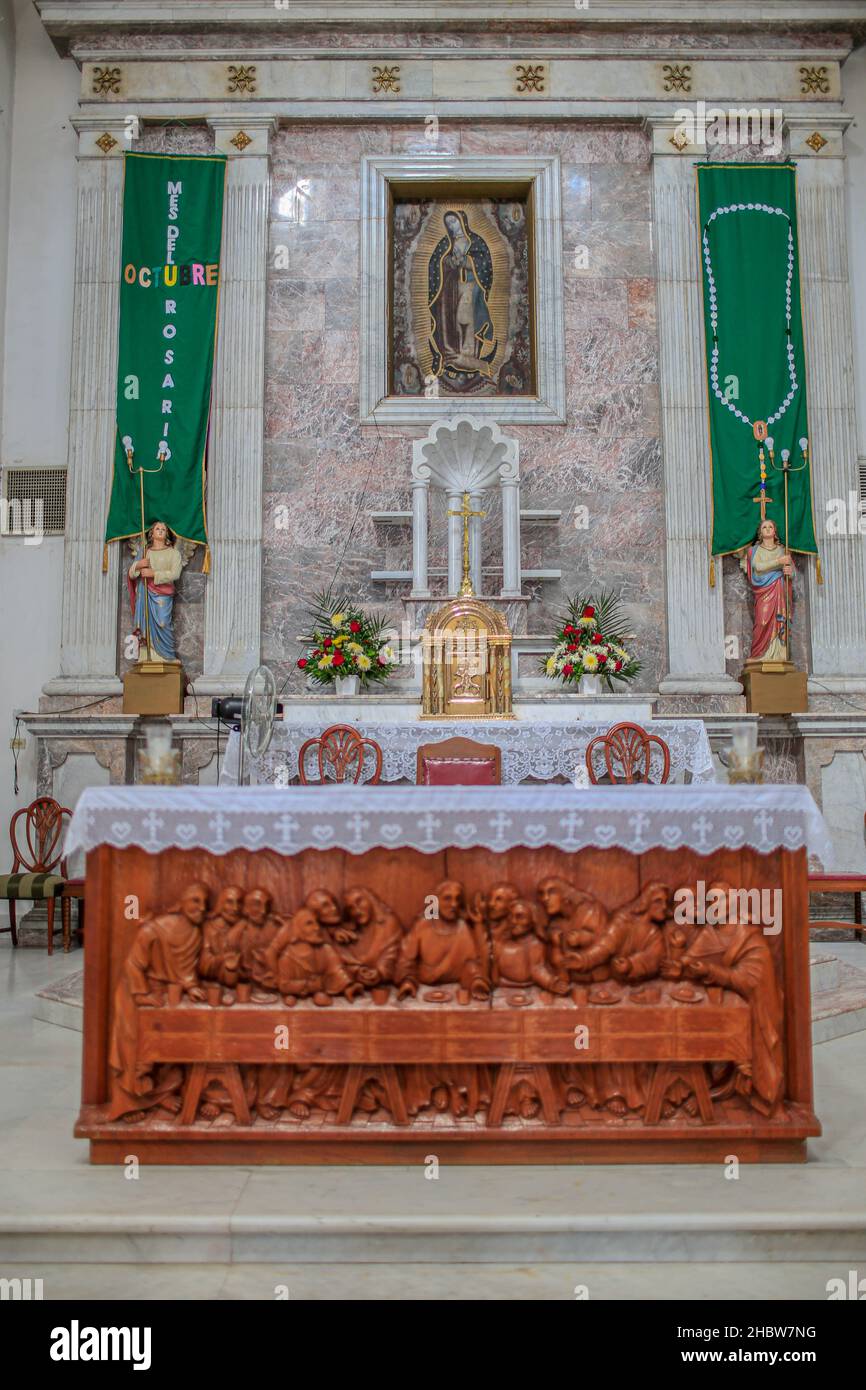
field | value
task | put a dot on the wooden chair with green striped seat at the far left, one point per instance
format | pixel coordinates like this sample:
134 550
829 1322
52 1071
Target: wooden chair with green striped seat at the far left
37 833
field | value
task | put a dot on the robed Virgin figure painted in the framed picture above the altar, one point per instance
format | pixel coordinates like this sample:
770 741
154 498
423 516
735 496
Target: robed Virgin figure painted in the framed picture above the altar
461 277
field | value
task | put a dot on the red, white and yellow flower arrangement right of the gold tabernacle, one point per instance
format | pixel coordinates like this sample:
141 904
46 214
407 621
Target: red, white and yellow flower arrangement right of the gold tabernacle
591 641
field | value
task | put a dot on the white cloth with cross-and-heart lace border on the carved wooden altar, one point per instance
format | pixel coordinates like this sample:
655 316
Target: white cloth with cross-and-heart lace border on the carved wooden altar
288 819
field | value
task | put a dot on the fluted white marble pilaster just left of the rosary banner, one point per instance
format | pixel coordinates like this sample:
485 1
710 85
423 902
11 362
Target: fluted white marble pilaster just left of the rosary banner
696 615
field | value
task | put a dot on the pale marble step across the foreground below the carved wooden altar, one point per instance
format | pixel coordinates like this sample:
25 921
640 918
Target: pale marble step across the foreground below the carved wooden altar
509 1216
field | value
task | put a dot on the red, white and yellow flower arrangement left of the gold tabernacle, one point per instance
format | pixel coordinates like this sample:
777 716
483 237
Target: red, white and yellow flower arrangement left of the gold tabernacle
343 641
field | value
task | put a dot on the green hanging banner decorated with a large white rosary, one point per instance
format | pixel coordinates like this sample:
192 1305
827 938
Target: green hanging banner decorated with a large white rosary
755 362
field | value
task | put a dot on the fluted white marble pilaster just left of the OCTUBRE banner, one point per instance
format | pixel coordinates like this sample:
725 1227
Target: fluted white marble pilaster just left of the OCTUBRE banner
88 651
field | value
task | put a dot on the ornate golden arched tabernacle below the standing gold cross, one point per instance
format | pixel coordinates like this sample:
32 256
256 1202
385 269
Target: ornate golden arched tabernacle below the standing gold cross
468 662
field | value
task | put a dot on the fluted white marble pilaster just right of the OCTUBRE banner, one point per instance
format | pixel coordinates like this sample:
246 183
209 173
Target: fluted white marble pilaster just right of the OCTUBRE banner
233 603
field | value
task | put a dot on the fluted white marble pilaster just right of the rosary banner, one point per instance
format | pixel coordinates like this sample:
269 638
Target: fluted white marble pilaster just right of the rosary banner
838 608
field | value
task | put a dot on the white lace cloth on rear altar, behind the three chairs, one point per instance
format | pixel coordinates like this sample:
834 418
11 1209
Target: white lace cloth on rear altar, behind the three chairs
537 751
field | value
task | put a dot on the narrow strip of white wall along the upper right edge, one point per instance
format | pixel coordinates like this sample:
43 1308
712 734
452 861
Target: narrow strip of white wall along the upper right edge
854 102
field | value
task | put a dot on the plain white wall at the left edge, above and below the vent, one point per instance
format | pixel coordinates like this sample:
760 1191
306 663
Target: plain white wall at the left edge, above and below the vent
37 245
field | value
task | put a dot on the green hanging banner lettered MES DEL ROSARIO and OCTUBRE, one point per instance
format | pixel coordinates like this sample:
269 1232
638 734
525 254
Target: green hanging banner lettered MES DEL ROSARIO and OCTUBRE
169 294
